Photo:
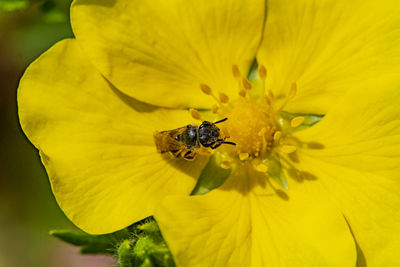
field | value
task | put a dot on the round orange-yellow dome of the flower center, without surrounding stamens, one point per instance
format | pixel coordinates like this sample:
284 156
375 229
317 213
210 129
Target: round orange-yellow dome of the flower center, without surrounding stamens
250 127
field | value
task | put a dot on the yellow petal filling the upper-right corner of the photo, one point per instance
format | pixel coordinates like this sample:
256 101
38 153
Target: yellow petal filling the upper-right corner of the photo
327 47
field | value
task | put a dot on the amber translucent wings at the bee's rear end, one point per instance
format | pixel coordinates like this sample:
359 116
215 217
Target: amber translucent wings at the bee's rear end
165 140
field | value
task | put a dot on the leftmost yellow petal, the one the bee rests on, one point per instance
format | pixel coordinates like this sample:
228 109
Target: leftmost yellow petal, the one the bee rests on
97 144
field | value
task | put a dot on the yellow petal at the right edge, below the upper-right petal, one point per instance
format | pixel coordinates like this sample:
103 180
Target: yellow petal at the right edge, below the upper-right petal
354 153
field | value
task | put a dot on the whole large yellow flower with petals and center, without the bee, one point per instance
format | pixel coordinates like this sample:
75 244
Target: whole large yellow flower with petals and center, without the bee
77 105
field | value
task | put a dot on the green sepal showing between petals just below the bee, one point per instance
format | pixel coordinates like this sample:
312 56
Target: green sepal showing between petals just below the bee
212 176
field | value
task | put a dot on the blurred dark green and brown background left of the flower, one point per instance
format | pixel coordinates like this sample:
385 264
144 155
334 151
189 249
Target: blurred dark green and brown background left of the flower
28 210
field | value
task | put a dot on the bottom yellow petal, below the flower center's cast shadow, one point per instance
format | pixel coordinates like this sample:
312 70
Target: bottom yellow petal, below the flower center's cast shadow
246 223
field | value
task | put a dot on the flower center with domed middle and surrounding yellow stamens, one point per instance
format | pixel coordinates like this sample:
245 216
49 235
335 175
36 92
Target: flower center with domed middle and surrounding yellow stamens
255 124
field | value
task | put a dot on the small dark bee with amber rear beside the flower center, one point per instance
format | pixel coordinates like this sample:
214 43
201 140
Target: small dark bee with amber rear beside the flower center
187 141
